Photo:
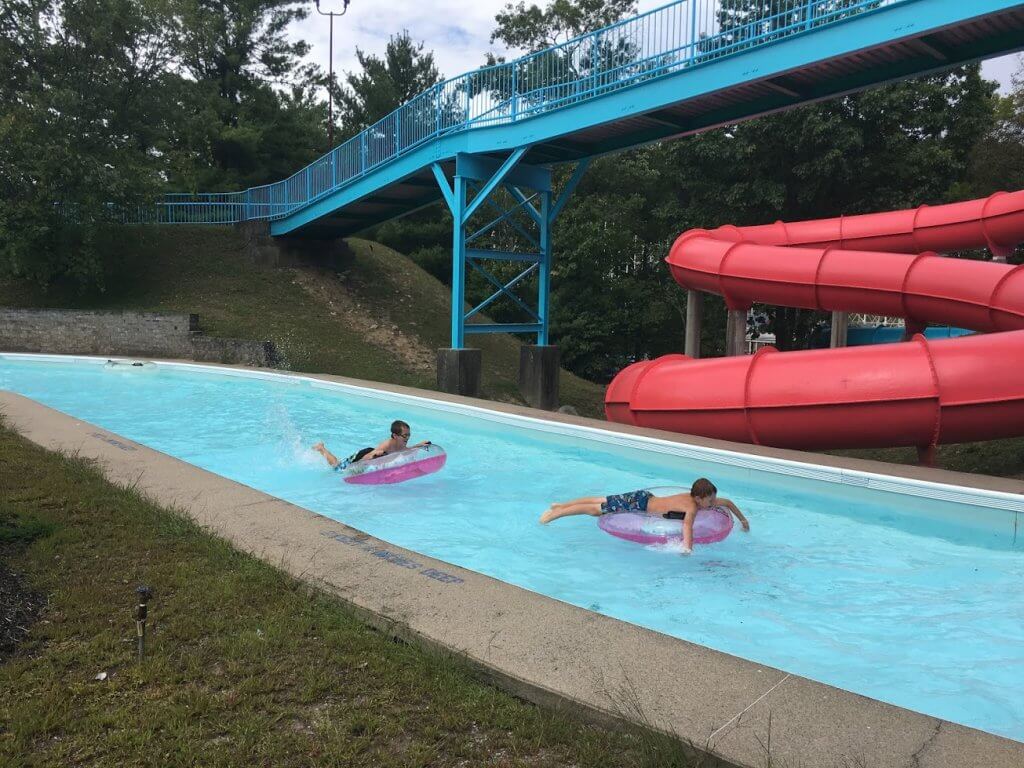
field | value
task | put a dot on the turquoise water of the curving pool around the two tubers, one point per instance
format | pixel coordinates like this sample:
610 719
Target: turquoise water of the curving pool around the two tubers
910 600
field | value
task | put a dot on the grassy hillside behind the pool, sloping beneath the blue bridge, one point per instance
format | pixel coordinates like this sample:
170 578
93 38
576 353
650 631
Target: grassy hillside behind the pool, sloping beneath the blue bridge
365 312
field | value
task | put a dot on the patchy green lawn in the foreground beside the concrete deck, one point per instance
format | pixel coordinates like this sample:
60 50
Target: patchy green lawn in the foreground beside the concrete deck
245 666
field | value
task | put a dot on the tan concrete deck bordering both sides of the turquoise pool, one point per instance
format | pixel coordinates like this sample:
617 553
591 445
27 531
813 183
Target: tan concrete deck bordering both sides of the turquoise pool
539 648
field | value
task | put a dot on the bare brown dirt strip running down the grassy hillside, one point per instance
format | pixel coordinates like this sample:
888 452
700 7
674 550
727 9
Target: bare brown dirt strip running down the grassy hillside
330 289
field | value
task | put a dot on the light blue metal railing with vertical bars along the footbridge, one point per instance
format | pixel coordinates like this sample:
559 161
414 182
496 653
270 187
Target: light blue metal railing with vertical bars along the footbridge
652 46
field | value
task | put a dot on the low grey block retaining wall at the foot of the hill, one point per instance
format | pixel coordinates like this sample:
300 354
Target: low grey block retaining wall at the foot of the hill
124 333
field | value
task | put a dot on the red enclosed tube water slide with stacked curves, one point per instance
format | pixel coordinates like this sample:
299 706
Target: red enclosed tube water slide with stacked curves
918 394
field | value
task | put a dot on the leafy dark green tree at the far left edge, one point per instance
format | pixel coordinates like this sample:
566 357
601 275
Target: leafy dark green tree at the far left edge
75 142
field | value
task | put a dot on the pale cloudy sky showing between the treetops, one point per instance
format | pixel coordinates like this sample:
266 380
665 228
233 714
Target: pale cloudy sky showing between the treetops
457 31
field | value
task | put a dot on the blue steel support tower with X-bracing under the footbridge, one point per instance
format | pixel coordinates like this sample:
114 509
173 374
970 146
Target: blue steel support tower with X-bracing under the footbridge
530 188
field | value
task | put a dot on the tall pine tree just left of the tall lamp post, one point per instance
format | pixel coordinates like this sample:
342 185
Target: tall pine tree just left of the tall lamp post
246 111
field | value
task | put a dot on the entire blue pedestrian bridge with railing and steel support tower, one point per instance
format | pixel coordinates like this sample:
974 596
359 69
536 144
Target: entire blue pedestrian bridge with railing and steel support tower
678 70
